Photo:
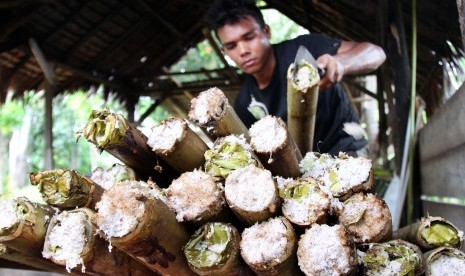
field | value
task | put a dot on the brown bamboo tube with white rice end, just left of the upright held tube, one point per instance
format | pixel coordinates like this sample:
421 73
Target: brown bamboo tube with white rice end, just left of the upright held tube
271 141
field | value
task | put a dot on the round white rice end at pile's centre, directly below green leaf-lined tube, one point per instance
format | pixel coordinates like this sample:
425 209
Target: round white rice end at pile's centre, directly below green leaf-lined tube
250 188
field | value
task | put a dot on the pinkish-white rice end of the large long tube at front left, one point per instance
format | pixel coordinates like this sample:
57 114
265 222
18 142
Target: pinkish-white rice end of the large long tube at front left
119 210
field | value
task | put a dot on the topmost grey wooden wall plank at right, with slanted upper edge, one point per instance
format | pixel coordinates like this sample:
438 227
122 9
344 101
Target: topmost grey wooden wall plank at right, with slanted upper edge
445 131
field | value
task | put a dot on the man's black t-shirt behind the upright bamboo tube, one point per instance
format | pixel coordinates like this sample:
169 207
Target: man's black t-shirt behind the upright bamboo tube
333 109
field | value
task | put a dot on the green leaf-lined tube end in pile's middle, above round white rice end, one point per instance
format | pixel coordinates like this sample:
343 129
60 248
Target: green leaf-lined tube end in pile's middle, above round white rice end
228 154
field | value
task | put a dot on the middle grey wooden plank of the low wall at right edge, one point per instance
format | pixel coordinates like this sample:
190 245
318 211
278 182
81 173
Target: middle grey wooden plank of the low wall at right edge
444 175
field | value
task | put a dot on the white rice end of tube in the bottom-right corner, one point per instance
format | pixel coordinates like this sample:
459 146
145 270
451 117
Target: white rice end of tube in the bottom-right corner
453 265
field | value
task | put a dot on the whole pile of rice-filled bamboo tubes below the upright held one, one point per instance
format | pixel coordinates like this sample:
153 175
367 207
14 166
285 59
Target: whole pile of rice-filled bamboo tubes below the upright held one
250 204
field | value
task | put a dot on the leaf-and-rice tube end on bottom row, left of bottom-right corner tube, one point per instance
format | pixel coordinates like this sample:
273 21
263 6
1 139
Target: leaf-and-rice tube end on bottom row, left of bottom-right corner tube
396 257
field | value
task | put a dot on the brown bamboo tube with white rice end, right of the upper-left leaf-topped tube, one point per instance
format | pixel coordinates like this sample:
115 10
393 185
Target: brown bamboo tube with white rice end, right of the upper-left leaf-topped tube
178 145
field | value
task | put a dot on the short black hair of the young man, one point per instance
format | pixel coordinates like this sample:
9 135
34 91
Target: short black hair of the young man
223 12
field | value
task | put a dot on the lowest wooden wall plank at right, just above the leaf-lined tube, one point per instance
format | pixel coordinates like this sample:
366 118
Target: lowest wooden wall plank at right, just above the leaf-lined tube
454 213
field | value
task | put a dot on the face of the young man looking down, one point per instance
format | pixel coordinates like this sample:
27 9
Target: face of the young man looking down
247 44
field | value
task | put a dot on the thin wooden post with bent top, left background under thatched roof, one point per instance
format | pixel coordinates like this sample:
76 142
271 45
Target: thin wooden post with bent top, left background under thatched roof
50 90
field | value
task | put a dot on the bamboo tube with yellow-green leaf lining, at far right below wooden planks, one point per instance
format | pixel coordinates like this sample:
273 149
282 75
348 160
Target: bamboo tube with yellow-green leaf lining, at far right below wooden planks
431 232
